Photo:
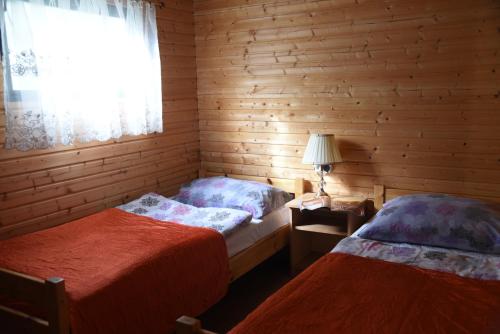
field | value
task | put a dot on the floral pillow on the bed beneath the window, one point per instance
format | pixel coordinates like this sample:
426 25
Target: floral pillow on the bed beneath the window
223 192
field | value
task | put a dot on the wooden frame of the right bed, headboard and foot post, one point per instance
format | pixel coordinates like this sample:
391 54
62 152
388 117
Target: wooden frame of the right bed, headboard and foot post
381 194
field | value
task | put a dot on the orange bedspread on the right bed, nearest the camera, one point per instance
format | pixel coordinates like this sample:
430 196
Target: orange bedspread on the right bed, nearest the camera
349 294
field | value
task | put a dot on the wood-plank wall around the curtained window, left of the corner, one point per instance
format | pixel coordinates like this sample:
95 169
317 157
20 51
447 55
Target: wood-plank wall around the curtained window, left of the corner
48 187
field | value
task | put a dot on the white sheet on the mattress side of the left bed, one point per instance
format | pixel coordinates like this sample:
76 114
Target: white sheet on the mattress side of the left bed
248 235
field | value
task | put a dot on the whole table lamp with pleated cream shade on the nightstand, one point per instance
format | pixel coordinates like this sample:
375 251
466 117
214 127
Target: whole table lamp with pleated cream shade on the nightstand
322 152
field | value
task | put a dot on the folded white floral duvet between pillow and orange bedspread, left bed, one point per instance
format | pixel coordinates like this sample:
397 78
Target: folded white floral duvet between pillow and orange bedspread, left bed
223 220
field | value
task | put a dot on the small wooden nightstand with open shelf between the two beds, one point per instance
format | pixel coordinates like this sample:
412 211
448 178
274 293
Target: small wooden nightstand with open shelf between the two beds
316 232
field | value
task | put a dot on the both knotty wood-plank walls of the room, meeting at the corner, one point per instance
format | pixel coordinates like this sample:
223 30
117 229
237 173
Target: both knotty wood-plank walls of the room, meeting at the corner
410 88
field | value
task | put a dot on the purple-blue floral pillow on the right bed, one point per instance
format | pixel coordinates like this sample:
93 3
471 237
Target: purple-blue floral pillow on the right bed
438 220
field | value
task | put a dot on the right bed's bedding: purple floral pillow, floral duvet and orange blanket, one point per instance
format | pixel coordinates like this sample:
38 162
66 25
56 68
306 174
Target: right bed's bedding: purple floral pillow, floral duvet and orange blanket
426 263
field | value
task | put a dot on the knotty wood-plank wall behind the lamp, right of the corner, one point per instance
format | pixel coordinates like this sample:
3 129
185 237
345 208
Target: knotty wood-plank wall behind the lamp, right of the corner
410 88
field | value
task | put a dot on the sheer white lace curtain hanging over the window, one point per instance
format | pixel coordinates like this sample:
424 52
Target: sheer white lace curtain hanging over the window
79 71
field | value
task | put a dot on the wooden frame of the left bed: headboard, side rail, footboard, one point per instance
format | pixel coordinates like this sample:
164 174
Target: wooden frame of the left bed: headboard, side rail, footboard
50 294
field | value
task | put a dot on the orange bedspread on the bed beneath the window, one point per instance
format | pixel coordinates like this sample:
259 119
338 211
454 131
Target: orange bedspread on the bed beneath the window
125 273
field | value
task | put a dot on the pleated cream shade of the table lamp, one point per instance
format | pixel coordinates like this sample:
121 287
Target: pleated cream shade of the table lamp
321 150
